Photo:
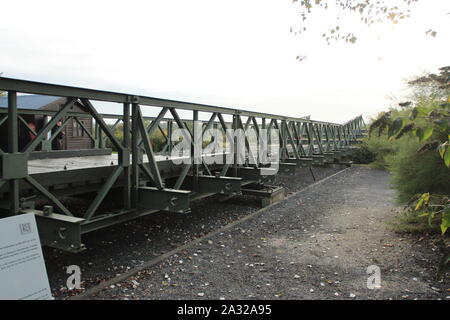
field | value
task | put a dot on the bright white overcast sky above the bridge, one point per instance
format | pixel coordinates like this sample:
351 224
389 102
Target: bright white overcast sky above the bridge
228 53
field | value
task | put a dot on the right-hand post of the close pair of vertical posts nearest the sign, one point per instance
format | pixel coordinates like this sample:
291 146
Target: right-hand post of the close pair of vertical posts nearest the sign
134 156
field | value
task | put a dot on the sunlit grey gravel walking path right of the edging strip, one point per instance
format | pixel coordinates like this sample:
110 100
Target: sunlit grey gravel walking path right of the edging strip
317 244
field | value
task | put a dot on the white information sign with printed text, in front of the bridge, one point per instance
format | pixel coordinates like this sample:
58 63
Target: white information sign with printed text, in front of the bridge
22 269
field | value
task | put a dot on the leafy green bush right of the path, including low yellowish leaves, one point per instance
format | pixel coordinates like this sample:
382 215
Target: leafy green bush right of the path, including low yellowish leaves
420 152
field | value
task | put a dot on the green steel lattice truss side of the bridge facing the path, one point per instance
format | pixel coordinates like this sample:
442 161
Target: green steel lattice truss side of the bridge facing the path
298 138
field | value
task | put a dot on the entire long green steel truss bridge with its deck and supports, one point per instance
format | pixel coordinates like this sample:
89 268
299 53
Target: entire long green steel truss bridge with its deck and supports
143 181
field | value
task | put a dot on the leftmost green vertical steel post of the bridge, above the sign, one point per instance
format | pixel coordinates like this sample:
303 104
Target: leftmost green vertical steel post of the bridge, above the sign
13 147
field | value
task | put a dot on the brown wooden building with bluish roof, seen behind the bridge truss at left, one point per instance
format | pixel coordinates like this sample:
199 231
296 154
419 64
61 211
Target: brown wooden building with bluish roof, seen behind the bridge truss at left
73 135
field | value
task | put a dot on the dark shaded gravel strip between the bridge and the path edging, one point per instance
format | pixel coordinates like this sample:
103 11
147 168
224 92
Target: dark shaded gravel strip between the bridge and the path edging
115 250
